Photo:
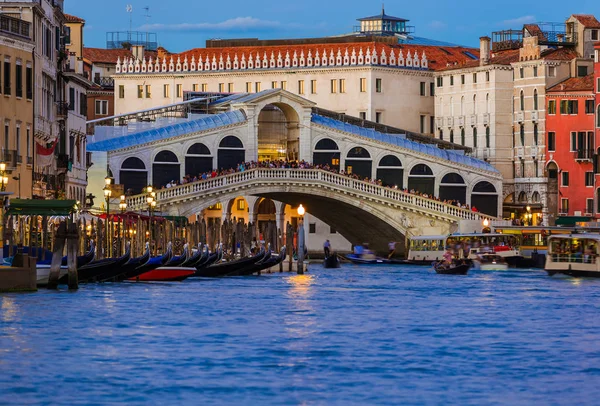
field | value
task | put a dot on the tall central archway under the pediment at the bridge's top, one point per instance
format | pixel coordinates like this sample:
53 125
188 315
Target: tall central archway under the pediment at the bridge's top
278 132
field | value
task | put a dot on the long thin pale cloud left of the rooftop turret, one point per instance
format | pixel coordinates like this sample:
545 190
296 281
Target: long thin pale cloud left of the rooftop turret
234 24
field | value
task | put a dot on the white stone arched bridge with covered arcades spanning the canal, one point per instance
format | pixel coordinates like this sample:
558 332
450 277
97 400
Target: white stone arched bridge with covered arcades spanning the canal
276 124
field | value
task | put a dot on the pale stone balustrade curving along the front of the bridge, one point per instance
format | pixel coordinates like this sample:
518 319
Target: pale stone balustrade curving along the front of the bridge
266 175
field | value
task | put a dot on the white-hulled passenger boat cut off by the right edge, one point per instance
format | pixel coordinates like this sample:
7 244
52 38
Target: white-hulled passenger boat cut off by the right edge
573 255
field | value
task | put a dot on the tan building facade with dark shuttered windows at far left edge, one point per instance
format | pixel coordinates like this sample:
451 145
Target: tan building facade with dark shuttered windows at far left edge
16 103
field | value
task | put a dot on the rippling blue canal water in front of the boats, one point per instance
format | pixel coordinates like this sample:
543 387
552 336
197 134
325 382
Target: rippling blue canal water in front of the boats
353 336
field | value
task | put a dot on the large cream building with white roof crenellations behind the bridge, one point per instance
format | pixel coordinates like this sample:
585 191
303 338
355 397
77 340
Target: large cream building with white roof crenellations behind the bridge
373 74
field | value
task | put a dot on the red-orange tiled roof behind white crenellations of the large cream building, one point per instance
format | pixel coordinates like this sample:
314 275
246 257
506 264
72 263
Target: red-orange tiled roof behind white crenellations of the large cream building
437 56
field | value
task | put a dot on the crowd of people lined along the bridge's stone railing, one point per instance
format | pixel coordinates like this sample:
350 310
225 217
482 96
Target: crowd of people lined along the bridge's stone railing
284 164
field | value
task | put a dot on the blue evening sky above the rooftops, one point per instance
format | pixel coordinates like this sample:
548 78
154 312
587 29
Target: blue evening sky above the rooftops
185 24
